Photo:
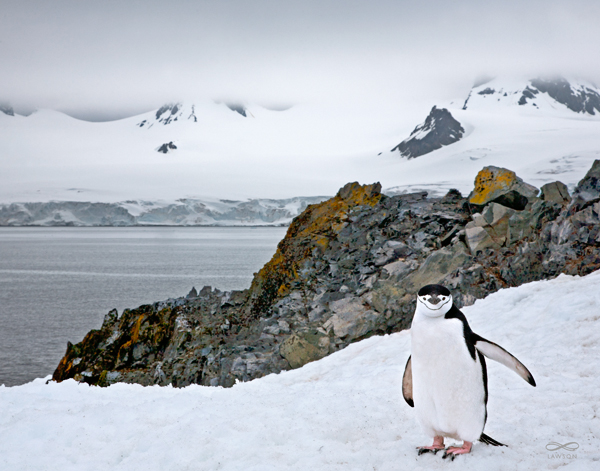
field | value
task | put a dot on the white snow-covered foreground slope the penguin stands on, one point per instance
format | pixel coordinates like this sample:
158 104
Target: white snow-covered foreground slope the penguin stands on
343 412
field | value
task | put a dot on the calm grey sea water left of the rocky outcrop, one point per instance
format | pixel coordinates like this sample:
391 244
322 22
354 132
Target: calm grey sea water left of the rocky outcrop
58 283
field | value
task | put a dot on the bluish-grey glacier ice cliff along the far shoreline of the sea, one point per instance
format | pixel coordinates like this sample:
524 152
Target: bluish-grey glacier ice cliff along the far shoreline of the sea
184 212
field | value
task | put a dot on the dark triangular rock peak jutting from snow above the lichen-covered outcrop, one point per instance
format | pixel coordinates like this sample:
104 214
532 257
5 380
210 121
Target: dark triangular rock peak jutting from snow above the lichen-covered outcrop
439 129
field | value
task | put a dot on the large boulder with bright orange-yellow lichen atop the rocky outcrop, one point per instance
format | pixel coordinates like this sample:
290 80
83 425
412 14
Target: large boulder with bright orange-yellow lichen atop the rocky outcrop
500 185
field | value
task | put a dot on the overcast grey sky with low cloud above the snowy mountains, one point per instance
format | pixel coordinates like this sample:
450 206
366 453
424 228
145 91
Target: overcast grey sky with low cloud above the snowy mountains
107 59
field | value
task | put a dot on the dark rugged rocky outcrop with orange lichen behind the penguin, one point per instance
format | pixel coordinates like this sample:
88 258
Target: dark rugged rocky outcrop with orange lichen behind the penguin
347 269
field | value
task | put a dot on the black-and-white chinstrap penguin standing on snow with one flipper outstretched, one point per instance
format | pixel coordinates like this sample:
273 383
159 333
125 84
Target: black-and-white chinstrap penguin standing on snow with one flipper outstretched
445 378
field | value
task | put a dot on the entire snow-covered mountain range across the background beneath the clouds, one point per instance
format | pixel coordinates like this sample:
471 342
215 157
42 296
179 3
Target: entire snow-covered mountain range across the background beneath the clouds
544 130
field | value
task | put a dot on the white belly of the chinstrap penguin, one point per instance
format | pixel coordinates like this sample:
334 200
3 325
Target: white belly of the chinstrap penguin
448 390
